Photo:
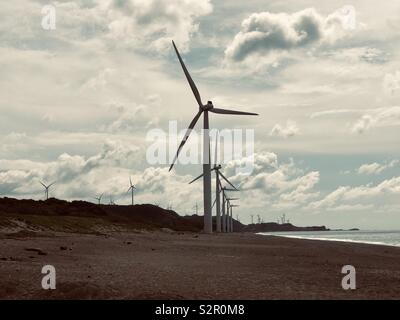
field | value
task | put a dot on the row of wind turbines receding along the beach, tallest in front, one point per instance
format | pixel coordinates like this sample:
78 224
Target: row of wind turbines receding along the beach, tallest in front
224 220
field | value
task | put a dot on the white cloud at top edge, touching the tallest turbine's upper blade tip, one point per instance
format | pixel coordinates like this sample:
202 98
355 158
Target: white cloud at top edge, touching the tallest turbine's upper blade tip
155 22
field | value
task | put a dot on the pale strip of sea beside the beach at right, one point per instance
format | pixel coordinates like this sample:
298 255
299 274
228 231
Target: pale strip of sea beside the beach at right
386 238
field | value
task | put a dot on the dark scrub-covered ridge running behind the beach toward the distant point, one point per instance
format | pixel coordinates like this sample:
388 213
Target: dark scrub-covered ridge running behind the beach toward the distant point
87 217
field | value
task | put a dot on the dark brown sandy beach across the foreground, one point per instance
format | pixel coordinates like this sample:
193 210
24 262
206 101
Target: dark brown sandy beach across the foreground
167 265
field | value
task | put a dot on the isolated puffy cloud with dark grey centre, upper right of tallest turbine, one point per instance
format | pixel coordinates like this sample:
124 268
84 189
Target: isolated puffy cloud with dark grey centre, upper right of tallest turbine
266 32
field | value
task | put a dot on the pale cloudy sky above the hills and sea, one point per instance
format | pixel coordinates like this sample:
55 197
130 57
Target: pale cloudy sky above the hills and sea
78 102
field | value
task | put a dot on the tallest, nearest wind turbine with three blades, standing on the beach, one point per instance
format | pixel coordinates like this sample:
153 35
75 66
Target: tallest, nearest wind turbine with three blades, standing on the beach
203 108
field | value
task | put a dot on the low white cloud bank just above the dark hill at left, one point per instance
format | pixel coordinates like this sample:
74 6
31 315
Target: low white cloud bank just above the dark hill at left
107 172
